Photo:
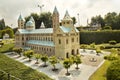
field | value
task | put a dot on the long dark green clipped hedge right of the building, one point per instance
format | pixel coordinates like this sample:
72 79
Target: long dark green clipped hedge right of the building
98 37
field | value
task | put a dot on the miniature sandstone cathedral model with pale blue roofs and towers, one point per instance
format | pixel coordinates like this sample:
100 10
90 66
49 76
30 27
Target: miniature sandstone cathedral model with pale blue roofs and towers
61 41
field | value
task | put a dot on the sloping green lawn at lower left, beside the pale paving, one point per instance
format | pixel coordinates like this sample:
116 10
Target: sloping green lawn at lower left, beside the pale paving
19 70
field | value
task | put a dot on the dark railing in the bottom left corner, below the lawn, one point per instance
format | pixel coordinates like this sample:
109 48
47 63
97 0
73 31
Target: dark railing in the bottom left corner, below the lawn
6 76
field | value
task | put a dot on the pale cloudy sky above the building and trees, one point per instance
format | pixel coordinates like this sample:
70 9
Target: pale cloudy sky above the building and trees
11 9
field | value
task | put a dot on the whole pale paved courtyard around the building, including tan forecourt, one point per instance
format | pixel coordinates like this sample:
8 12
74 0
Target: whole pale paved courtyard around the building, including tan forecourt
90 63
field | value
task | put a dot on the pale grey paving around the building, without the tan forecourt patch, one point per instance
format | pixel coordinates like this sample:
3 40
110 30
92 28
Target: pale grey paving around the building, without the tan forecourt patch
83 73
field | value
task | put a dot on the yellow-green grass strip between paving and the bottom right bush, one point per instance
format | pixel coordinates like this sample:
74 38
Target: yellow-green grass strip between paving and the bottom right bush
100 74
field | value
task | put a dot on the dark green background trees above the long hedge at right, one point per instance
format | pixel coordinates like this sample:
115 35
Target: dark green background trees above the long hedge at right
110 19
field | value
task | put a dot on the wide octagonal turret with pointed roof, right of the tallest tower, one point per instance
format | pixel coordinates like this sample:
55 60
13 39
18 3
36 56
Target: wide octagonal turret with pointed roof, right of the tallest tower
67 21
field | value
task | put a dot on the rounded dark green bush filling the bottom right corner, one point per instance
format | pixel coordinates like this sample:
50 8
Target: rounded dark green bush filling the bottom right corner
113 71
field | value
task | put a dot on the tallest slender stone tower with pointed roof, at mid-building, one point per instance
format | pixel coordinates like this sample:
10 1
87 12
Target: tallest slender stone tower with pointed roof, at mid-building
55 20
